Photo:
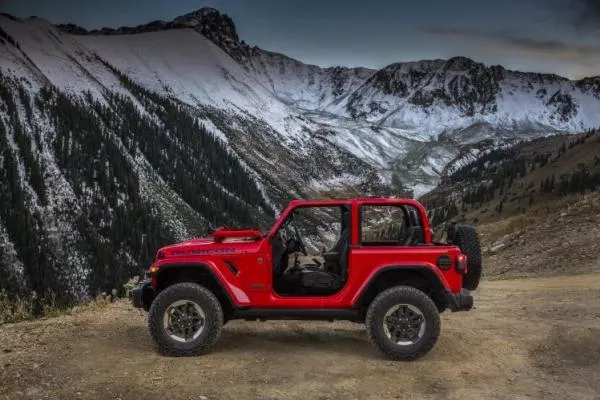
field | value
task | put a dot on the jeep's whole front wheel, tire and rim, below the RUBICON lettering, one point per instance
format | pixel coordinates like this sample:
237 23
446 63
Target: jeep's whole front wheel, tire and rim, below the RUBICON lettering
185 320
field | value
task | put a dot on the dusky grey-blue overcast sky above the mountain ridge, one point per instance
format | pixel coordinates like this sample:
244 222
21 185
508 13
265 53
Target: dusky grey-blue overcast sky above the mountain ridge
557 36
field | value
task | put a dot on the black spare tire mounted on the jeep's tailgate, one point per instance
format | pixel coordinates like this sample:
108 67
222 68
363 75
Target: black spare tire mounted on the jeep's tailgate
466 238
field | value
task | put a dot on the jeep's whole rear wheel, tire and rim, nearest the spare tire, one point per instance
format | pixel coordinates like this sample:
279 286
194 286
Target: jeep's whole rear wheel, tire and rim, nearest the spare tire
403 323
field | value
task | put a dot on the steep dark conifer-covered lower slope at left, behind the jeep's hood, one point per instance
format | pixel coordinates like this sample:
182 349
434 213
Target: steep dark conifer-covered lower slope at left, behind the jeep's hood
89 193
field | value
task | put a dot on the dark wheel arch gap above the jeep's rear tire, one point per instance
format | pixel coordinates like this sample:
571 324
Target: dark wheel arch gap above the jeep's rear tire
420 277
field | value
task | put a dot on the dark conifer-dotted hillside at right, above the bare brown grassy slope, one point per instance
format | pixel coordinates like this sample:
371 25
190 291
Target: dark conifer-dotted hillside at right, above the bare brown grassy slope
511 180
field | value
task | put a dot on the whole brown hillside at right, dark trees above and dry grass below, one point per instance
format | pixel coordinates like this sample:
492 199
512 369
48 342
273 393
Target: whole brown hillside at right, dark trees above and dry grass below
535 204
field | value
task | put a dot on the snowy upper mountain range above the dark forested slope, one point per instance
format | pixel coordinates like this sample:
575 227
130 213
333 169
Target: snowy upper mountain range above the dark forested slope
376 116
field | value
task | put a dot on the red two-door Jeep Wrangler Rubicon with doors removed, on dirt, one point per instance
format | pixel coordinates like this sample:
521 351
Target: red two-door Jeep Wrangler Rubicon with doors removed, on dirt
364 260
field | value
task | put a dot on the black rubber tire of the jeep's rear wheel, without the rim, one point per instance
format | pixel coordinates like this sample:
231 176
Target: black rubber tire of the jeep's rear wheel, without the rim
384 302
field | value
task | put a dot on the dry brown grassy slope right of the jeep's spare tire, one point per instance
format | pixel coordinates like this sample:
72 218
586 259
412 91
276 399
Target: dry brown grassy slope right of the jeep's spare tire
560 237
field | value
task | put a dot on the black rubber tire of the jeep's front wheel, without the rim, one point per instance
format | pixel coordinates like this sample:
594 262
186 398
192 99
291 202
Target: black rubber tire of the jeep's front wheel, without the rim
213 320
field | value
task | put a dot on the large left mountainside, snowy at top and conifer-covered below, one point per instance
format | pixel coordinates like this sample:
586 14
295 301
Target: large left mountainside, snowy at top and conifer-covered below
98 171
